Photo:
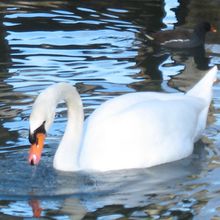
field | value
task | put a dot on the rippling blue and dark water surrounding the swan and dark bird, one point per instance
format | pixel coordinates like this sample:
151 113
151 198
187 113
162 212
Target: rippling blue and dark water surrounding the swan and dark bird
99 47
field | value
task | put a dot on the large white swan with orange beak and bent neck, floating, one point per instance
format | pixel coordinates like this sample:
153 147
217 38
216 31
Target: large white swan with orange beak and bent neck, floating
134 130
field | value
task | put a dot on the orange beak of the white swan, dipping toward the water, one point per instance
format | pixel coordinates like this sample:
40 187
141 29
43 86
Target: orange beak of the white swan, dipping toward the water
36 149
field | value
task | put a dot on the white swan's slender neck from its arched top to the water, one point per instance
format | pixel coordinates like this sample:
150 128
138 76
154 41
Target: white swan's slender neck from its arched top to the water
66 156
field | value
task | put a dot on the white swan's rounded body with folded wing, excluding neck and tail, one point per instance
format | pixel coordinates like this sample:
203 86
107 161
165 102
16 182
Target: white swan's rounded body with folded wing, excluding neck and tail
143 133
